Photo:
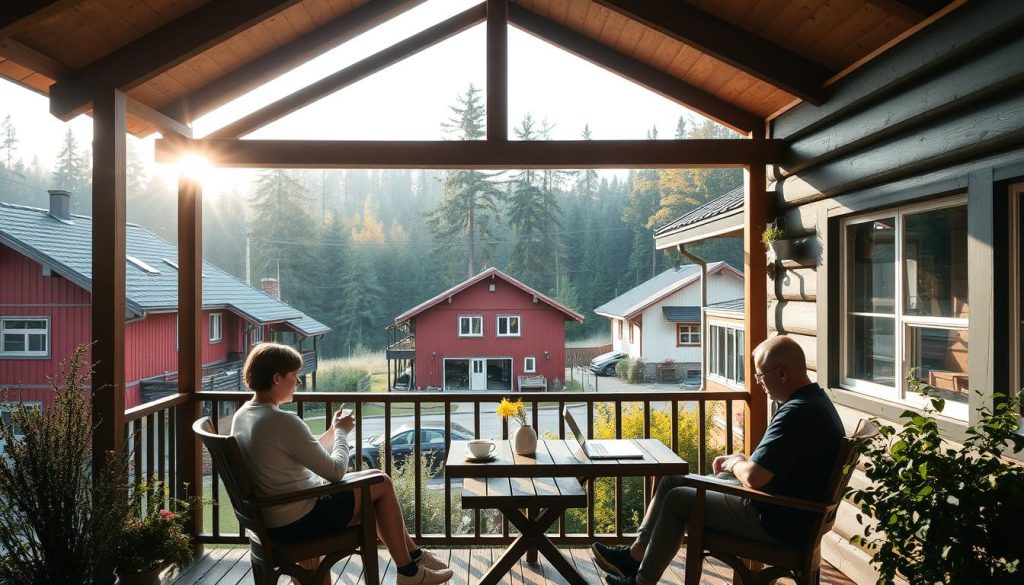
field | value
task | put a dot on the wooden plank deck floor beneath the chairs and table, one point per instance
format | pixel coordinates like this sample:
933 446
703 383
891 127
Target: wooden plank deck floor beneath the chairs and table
231 567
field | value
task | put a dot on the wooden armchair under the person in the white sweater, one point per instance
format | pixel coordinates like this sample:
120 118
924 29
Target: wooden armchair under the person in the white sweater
273 560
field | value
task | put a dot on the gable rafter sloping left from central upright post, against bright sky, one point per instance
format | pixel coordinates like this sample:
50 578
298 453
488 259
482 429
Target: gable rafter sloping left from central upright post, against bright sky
354 73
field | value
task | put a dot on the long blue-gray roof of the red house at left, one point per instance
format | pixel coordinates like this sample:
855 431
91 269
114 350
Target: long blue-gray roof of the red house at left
67 248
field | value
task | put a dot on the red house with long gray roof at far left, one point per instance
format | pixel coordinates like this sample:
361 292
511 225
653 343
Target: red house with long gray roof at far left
47 268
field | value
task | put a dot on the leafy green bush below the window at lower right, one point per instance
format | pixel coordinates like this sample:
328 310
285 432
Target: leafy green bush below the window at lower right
945 515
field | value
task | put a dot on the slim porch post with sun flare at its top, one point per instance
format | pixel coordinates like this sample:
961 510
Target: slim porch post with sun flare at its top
190 341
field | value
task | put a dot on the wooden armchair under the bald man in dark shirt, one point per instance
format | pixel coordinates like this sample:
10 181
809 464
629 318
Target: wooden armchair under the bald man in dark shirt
803 564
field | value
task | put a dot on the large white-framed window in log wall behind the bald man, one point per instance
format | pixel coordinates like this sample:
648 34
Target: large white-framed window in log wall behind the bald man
906 304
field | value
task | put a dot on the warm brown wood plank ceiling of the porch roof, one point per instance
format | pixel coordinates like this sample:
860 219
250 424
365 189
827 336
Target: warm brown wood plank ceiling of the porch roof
740 62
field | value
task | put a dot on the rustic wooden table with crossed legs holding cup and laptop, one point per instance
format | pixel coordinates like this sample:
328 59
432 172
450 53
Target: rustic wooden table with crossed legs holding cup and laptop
511 482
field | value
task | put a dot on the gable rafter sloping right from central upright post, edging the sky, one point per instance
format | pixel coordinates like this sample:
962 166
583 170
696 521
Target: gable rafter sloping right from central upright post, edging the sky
635 71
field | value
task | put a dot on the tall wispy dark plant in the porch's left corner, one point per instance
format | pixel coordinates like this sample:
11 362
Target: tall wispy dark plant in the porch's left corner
61 519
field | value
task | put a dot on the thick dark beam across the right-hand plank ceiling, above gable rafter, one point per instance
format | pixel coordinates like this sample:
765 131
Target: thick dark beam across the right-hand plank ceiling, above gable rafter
744 51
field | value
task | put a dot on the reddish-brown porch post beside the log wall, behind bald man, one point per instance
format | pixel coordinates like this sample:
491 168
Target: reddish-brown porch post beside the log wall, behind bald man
757 208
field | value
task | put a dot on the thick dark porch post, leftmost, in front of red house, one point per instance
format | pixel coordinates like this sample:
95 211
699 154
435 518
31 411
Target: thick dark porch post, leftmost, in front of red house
109 157
